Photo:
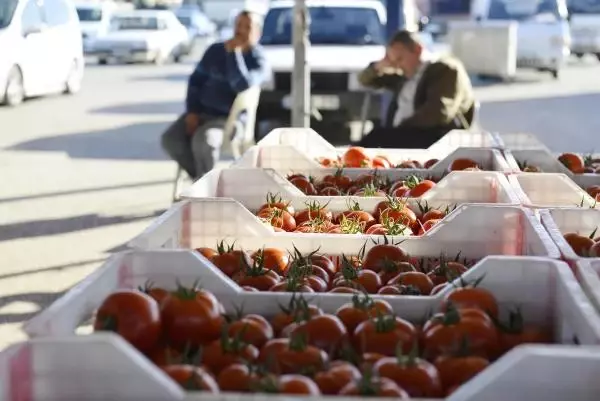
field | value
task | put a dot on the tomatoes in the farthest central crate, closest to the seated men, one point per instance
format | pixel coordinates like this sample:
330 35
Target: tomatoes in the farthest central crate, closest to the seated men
357 157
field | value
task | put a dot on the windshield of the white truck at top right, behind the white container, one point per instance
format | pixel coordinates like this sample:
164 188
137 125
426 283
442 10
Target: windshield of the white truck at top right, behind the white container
521 10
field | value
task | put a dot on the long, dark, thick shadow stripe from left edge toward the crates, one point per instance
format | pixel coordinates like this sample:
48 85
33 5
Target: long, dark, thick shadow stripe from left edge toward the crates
41 228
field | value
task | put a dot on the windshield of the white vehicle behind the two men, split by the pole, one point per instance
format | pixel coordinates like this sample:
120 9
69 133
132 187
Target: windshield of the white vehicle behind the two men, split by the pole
328 25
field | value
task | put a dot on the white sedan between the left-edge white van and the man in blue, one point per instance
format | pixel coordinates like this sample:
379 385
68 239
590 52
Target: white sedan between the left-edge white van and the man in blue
143 36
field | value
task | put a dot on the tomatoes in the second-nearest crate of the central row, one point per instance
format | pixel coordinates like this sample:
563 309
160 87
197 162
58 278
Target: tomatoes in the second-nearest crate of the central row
384 269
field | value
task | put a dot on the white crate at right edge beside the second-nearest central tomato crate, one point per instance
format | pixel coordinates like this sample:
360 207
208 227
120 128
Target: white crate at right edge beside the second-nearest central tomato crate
559 221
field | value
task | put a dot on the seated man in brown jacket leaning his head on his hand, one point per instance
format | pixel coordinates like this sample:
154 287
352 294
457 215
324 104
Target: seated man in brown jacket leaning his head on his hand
431 96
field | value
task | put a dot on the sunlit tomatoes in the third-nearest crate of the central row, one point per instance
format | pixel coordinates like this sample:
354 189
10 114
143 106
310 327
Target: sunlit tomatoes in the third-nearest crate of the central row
390 217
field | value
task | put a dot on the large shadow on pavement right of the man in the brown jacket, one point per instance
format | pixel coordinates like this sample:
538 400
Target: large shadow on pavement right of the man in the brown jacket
562 123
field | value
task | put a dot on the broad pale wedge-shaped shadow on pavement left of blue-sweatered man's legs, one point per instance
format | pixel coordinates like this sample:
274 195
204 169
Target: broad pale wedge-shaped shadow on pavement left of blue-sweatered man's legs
130 142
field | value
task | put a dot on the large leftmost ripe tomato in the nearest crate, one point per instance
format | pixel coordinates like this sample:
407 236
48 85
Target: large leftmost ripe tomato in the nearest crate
133 315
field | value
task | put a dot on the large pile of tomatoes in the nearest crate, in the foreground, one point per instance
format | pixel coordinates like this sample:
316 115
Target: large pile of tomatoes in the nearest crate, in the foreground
361 349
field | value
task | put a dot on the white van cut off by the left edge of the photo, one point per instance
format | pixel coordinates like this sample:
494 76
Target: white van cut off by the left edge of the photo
41 49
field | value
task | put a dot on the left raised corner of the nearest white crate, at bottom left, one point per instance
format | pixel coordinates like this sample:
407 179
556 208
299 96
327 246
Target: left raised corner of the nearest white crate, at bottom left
76 368
